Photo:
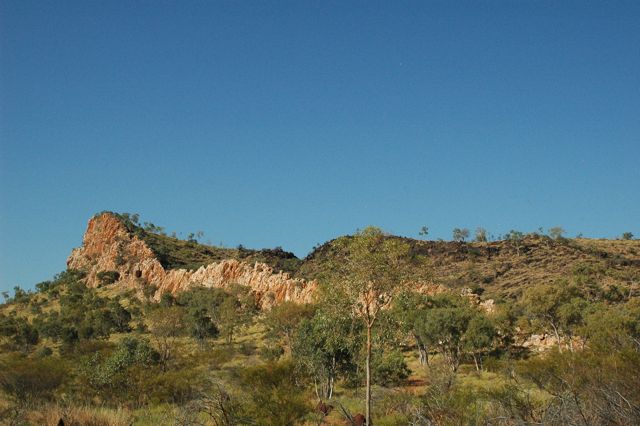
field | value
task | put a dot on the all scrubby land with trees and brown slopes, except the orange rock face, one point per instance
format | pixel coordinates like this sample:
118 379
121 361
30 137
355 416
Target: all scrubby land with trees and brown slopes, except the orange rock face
558 345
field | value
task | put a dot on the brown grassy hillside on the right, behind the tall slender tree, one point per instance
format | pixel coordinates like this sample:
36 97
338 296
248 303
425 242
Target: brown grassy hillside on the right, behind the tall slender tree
503 269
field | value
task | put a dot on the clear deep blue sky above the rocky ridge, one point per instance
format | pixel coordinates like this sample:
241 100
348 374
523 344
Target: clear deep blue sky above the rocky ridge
289 123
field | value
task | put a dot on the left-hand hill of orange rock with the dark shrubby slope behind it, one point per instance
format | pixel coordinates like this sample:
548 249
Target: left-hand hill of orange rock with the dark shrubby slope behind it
114 251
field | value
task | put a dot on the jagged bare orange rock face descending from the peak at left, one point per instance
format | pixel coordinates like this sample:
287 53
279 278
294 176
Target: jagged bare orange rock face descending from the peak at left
109 246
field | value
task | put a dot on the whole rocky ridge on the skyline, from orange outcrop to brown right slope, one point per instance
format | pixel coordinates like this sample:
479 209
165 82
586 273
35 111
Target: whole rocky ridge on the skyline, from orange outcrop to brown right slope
118 251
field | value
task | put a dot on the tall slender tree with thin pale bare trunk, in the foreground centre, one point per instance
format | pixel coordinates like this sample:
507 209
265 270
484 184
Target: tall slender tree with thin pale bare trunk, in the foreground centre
368 276
